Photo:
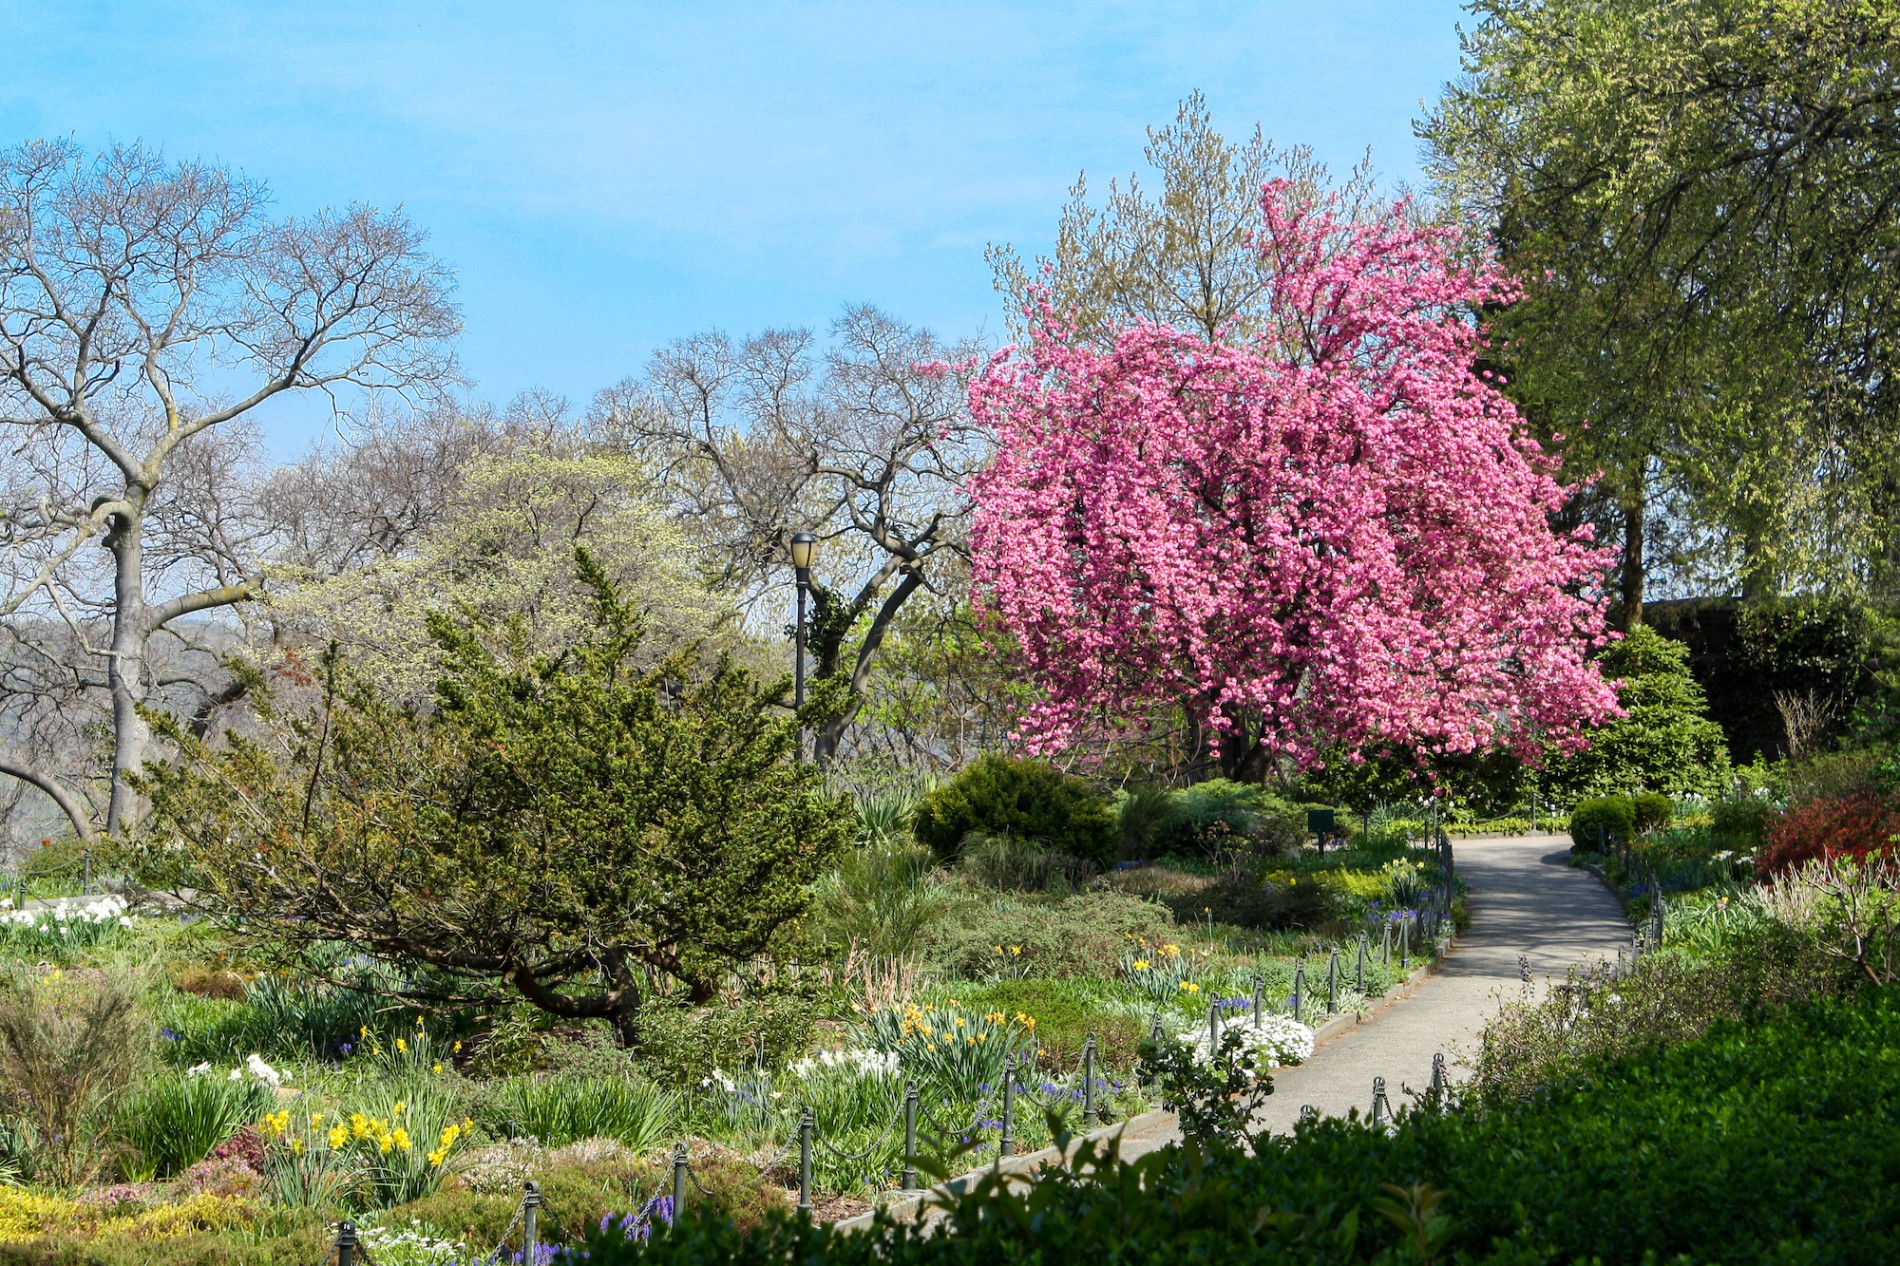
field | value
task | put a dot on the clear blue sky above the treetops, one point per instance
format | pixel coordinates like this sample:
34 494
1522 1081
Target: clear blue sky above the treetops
605 178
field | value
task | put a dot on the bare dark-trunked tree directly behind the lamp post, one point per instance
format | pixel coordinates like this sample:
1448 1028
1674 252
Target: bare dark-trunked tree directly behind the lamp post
867 448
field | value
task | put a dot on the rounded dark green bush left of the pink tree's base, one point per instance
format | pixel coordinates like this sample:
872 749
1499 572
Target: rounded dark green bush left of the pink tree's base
1023 799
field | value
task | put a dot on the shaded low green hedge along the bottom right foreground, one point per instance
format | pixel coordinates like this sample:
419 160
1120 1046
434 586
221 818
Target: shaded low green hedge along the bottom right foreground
1749 1145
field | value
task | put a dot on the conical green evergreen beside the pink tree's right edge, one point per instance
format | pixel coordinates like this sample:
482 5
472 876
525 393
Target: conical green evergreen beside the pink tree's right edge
1665 742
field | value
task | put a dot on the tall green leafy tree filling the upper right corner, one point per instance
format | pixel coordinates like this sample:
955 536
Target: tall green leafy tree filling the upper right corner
1701 201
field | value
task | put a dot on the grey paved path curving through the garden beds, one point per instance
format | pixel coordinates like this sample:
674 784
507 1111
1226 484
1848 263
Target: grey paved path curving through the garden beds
1525 900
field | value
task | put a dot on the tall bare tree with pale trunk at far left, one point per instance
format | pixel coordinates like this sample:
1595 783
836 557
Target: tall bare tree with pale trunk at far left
142 307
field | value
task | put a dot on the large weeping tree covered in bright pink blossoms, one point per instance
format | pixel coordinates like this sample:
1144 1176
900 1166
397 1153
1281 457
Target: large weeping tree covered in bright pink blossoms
1335 535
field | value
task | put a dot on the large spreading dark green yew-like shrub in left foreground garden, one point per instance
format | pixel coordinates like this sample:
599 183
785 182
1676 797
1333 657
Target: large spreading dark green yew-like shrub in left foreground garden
560 826
